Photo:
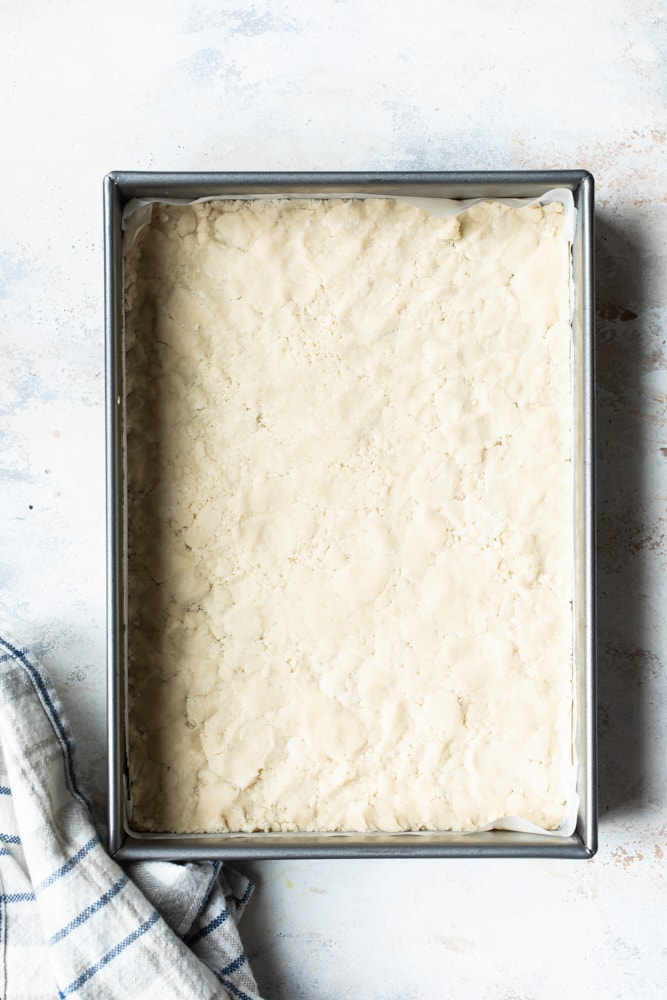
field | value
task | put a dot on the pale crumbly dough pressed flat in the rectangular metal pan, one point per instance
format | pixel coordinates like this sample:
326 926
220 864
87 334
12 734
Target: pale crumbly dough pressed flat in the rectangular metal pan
350 516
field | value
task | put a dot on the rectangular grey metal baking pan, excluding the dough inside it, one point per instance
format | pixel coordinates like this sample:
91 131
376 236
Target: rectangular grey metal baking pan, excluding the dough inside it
119 188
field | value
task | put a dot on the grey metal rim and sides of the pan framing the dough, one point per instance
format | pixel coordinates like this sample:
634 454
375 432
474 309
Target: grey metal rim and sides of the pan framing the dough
120 187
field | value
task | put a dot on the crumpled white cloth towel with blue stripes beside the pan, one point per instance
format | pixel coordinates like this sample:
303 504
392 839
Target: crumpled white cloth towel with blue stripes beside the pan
72 922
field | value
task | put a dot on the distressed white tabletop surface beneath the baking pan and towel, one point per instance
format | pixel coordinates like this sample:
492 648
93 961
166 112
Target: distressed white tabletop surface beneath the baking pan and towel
86 89
